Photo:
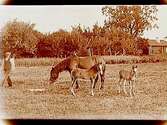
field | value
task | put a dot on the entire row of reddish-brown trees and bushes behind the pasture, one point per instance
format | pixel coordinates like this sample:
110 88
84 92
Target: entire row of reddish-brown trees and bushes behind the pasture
121 34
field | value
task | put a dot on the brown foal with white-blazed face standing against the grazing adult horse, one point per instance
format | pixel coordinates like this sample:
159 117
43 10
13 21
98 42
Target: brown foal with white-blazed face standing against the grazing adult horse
91 74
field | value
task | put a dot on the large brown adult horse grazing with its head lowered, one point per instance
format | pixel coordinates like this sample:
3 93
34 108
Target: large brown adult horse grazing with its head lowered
73 62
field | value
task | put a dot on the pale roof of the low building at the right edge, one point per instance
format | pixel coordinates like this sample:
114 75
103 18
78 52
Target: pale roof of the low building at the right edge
157 43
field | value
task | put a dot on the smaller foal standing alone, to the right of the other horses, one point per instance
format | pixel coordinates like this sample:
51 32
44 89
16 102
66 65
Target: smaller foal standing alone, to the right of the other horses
127 76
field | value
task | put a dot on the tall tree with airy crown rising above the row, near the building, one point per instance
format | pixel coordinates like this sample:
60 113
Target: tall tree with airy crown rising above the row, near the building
133 20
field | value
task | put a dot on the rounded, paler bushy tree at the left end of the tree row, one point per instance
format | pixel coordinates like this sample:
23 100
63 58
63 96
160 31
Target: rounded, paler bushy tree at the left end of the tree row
20 38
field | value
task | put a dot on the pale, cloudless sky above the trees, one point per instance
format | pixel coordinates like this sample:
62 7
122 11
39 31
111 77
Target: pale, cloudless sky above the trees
53 18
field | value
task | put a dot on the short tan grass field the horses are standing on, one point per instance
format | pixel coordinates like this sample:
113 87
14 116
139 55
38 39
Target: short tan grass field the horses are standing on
55 101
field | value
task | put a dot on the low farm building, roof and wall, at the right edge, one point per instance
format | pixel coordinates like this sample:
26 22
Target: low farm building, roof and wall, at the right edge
157 47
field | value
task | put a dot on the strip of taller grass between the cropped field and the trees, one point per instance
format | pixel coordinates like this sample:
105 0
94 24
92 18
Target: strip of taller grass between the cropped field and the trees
30 62
